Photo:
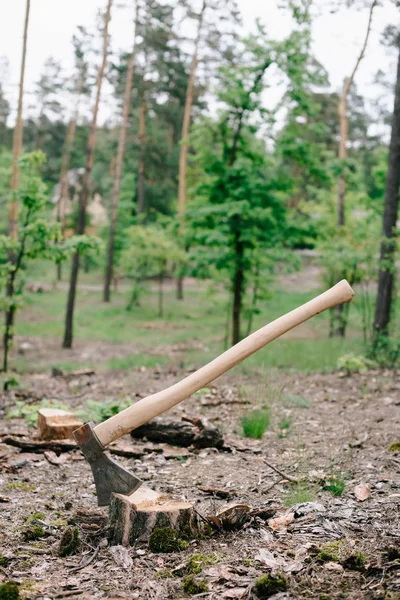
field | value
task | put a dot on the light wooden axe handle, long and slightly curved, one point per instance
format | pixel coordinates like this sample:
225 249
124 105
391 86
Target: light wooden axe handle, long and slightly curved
147 408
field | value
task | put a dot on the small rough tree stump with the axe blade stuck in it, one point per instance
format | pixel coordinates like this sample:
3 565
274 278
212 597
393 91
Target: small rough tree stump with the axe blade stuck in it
135 517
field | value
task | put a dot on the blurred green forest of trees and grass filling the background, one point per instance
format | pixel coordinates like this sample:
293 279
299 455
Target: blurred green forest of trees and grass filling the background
226 168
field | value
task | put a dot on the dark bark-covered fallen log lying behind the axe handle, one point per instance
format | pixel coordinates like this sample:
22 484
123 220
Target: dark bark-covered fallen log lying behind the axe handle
186 432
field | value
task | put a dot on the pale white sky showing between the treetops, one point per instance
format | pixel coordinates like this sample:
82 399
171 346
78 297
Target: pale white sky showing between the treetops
337 37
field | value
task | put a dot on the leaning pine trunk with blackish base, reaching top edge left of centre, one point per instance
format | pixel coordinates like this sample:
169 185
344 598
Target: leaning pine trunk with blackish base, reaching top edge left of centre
80 228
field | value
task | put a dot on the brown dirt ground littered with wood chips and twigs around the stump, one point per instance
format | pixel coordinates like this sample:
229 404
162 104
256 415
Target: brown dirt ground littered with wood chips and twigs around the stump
322 426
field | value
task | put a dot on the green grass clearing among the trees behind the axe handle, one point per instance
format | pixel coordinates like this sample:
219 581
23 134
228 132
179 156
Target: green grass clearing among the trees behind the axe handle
197 325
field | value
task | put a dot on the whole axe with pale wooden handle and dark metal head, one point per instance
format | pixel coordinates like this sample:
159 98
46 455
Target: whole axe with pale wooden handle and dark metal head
109 476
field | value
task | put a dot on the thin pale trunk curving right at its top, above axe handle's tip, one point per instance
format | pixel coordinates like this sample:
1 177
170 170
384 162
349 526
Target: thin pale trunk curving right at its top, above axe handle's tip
343 118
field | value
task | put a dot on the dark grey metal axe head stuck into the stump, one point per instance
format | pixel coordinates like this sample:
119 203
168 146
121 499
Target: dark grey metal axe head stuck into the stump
108 475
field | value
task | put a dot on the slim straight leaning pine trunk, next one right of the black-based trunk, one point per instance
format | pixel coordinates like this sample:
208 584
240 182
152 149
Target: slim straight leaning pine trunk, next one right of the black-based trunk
119 166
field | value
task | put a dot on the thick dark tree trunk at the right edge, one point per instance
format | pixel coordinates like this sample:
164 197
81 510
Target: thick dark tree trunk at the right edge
388 245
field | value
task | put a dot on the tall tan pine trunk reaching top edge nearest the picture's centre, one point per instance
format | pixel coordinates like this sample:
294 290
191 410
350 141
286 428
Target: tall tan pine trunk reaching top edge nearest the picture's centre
185 133
